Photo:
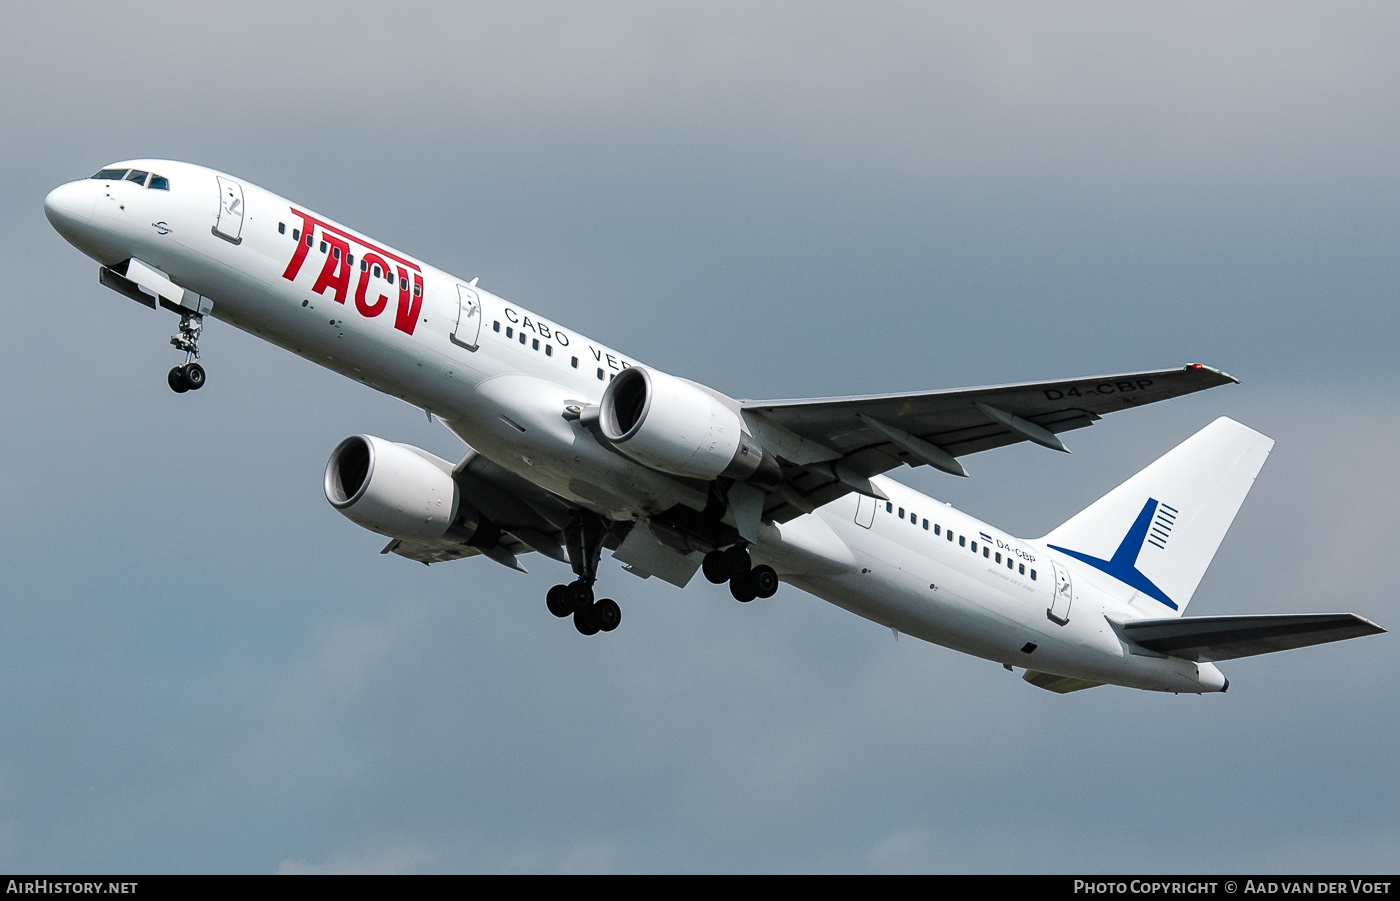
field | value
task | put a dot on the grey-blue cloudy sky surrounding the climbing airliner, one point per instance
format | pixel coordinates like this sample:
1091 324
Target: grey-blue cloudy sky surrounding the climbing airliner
205 668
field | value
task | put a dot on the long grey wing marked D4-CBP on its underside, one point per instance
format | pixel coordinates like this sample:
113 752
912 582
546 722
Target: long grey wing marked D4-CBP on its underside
834 446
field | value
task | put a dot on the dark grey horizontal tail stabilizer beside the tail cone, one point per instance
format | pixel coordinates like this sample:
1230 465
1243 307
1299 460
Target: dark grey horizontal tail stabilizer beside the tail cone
1226 639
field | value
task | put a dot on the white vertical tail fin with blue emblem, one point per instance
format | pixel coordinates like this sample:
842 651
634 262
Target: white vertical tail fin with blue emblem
1157 532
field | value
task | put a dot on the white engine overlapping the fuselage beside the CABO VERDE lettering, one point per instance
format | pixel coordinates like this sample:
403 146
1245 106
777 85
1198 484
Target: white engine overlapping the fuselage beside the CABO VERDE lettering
677 427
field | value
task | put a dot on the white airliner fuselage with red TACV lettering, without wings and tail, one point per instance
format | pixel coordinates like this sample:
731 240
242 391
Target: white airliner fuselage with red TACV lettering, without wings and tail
500 384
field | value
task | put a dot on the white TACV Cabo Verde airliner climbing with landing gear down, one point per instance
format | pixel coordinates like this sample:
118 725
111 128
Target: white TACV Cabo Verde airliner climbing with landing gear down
576 448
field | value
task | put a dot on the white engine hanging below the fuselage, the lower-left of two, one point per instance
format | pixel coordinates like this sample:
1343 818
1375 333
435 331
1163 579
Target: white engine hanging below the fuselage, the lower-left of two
397 490
